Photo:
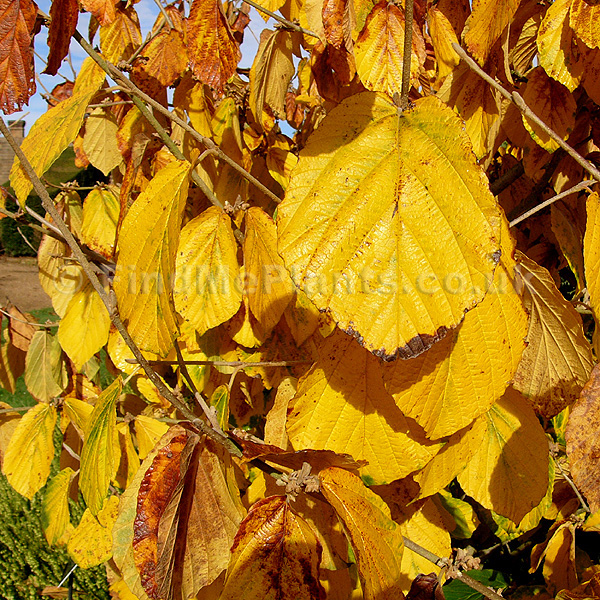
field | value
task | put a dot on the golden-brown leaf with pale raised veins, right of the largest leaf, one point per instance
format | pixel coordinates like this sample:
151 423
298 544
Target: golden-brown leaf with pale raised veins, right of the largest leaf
558 359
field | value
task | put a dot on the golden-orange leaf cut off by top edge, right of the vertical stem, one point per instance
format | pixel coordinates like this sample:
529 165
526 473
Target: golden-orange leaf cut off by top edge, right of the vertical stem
485 24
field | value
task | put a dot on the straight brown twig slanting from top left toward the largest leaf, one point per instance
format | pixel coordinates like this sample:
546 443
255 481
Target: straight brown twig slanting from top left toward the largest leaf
130 88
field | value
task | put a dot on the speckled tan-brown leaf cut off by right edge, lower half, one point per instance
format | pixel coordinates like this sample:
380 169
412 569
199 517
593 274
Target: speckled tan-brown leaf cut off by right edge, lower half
583 443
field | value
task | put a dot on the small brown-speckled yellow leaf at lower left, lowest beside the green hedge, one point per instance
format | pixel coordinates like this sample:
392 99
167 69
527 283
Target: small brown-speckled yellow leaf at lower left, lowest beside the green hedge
91 542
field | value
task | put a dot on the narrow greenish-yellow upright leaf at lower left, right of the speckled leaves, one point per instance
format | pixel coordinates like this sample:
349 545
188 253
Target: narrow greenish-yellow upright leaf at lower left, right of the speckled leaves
100 454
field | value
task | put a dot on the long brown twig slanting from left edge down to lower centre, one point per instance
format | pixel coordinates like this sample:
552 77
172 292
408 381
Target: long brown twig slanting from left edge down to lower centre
108 302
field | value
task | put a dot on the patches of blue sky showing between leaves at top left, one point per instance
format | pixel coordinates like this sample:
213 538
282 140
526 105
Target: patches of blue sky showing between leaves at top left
147 11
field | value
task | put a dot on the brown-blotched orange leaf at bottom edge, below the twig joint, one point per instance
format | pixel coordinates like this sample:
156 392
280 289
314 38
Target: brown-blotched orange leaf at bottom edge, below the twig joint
275 554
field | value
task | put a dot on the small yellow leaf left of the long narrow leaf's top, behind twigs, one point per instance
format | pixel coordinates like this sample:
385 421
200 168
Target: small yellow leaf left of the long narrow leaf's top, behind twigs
100 217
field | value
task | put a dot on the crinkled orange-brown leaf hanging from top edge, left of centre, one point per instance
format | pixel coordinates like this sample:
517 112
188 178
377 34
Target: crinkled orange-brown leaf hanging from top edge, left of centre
213 51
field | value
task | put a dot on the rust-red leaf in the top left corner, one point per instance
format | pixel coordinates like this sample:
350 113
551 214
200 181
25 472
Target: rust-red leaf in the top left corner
17 76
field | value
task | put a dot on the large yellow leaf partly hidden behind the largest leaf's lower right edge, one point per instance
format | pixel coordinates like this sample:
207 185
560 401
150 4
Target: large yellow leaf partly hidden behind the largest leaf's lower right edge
460 377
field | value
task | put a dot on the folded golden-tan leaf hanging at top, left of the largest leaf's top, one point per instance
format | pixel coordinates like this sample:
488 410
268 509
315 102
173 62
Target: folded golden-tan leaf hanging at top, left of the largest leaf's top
271 73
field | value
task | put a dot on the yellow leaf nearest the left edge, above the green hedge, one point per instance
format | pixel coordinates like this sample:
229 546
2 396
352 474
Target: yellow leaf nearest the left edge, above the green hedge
31 450
